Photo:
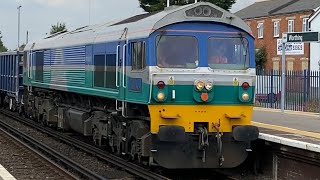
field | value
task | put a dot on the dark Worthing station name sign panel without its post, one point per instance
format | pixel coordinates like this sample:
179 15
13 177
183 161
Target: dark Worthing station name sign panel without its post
301 37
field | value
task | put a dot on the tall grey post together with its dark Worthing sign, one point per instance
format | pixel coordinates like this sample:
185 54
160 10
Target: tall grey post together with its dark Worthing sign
293 37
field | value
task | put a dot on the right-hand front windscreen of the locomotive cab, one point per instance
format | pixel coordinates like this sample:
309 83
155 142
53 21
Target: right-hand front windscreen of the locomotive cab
225 52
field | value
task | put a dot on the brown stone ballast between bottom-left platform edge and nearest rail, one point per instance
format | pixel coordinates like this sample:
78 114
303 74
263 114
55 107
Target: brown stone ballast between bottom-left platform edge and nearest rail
27 163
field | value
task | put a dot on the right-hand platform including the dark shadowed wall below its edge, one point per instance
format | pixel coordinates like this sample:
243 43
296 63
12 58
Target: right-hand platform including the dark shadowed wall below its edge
289 144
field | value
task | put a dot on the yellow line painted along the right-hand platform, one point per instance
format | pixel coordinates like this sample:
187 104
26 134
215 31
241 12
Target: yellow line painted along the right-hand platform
286 129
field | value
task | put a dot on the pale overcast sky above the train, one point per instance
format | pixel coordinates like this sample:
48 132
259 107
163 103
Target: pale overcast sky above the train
37 16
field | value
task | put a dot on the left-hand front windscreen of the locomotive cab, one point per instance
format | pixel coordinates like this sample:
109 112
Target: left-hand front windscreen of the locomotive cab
177 51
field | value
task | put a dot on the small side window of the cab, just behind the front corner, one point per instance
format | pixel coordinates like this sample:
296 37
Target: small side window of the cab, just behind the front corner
138 55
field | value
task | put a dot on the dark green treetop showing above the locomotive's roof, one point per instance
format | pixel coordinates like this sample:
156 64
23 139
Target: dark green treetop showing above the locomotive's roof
158 5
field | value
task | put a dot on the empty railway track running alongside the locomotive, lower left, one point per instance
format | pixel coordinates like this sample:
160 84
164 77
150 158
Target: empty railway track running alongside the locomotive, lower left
85 171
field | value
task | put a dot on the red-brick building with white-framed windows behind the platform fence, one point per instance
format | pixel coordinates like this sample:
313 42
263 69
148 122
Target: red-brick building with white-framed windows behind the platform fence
268 19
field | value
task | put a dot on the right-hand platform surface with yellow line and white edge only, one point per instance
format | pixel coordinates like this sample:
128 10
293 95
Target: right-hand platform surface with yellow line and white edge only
296 129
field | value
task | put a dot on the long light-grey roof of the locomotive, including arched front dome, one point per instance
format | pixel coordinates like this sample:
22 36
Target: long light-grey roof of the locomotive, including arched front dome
139 26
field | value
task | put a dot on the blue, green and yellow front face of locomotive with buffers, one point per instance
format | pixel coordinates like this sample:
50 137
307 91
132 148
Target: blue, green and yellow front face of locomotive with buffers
201 95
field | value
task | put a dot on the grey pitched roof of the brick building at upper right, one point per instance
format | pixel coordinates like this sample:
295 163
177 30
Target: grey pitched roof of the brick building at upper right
276 7
